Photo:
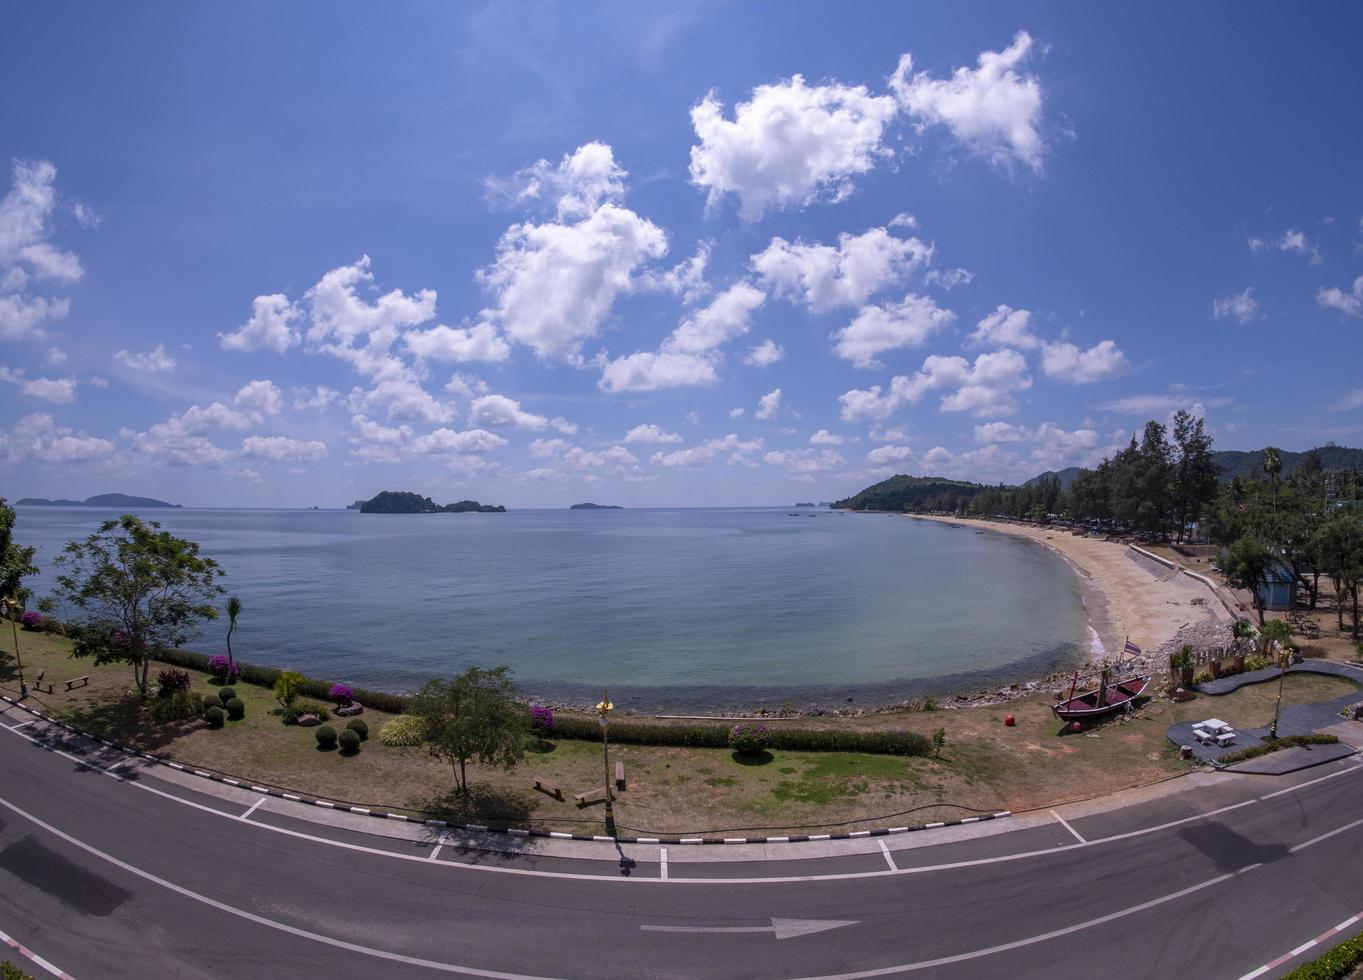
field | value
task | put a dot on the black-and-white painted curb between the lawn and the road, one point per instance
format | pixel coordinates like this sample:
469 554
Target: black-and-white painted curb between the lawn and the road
479 828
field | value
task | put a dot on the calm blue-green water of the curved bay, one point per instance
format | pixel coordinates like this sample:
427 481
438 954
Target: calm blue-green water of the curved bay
671 609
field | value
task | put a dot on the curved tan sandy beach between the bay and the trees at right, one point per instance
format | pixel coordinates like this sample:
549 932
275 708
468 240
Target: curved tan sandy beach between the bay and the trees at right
1127 599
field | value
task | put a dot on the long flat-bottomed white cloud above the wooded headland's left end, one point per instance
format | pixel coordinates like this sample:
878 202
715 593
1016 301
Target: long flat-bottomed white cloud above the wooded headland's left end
982 389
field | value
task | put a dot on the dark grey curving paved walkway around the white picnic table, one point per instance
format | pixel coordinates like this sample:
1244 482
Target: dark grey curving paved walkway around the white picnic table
1294 720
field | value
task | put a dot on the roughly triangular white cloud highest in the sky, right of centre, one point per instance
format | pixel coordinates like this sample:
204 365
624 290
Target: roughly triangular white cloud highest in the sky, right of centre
993 110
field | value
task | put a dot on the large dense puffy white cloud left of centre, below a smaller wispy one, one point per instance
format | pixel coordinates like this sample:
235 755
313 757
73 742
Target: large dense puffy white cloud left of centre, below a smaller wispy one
555 284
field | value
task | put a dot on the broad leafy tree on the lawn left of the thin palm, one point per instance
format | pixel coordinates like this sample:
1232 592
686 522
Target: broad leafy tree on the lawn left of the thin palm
141 588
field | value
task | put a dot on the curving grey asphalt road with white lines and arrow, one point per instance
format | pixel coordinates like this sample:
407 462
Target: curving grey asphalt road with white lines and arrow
141 878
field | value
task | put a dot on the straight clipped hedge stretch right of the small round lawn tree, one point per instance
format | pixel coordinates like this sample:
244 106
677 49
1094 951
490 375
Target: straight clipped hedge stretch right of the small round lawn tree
718 737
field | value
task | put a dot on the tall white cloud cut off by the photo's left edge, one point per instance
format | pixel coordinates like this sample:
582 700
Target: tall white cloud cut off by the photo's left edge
27 253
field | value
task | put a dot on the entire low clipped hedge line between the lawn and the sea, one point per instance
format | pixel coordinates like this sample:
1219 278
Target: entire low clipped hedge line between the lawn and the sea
626 733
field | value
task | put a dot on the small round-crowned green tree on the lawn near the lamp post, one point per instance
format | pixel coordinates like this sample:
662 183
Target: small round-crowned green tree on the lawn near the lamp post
472 718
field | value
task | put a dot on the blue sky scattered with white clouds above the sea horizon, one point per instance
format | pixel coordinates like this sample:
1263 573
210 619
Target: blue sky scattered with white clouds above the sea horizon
724 256
